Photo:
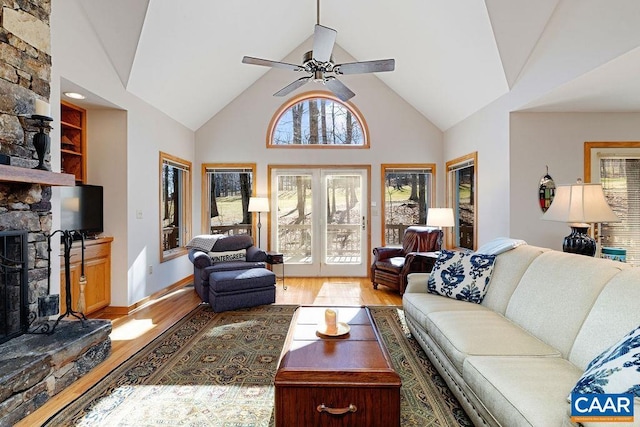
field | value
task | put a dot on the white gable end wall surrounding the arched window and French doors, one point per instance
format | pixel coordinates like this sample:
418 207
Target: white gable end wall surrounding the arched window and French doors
398 133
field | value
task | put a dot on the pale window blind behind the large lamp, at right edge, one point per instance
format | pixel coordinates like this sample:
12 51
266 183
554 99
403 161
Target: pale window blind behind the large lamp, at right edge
620 179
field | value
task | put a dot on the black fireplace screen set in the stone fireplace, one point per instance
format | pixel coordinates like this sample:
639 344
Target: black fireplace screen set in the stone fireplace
13 284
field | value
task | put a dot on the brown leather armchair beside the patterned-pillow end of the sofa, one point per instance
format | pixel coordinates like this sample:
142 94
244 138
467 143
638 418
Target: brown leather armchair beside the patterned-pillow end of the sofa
391 265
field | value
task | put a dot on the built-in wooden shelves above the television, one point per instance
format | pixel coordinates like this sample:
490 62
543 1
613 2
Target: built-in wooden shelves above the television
73 141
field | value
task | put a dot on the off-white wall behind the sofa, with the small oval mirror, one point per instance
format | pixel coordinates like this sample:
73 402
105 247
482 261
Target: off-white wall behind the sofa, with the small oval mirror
556 140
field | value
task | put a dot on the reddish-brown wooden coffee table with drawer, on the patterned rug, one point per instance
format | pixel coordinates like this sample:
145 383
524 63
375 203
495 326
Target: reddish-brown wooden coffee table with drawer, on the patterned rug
336 381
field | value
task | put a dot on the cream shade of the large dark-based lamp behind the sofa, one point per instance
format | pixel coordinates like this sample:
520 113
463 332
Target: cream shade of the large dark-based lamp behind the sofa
580 203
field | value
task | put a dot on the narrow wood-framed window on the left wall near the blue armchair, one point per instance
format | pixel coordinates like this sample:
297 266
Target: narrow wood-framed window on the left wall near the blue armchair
175 206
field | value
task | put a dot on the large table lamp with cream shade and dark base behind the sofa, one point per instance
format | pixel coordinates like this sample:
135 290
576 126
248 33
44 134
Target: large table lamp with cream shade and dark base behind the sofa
580 205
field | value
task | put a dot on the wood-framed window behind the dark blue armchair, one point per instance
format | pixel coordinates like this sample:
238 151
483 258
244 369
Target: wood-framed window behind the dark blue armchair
227 189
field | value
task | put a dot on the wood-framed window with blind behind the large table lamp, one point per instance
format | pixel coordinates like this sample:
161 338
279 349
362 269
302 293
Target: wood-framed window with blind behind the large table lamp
616 165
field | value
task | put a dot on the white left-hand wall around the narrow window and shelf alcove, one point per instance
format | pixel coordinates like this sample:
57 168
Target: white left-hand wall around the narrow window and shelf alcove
78 56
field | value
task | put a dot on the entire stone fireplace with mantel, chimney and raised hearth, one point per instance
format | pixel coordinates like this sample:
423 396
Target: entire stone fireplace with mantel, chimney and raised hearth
33 366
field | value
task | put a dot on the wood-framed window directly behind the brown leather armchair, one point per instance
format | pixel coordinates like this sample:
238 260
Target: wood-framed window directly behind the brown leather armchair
407 193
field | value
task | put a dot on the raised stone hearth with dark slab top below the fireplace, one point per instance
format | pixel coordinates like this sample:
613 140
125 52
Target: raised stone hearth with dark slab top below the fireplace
34 367
